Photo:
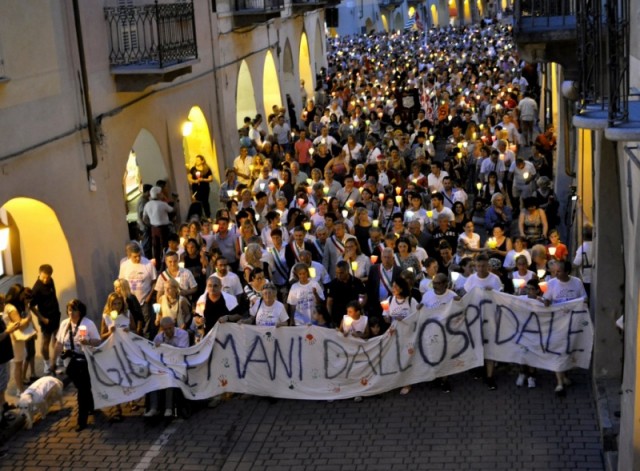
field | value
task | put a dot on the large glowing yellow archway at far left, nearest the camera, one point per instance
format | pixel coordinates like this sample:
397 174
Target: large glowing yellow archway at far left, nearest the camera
36 238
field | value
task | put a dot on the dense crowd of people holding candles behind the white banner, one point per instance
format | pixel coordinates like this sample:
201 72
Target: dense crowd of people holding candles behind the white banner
416 172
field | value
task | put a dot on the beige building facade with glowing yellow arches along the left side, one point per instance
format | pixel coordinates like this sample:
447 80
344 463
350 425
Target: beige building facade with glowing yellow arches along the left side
99 97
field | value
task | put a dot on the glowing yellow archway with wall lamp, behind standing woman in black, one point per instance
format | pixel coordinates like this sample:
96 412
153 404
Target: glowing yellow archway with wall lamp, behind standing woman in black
196 140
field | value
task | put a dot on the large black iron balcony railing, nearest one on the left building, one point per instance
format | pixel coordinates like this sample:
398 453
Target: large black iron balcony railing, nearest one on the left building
158 36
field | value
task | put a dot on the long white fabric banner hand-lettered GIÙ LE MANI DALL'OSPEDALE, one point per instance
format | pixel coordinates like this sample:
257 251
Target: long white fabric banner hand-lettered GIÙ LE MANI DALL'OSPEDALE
319 364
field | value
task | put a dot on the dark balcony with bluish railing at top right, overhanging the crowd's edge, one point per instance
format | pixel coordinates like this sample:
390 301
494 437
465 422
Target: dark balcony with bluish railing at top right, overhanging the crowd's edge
545 31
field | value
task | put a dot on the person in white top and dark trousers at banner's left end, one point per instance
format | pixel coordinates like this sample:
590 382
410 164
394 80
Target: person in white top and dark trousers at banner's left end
74 332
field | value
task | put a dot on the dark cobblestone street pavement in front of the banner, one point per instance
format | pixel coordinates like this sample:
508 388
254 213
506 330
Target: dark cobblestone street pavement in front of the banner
471 428
